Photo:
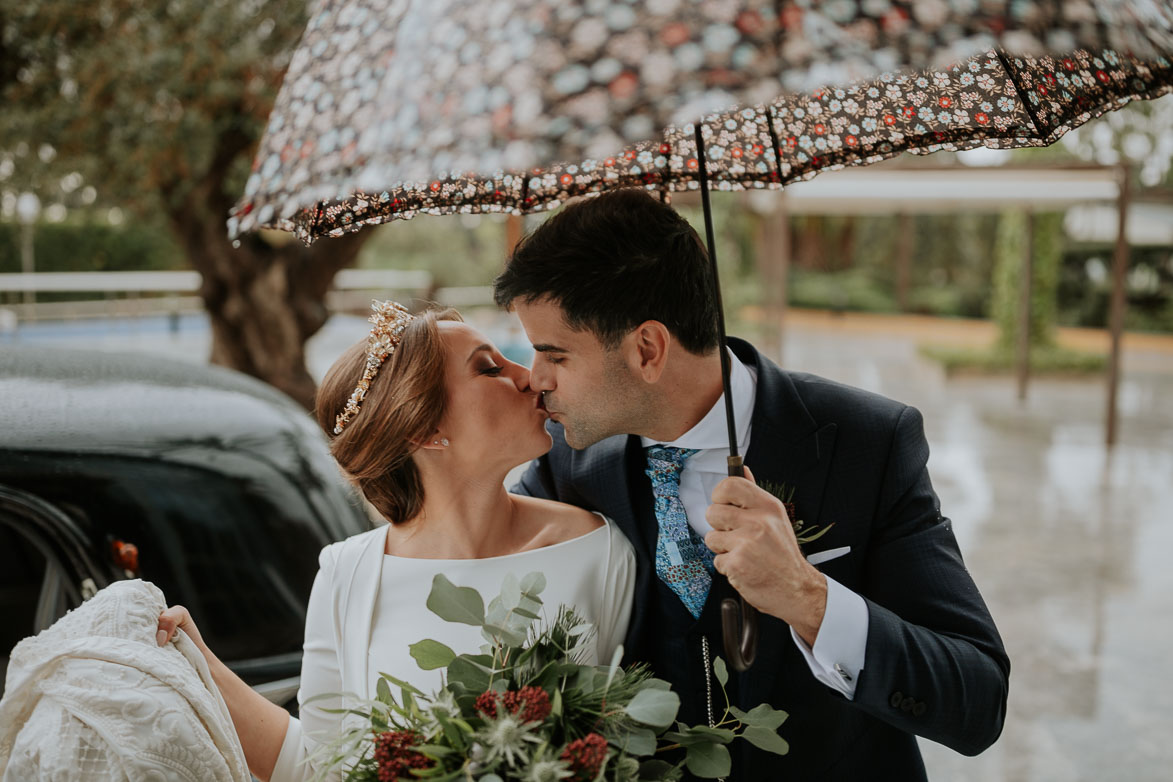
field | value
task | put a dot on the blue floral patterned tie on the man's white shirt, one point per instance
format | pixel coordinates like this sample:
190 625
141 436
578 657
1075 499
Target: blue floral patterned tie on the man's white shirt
683 561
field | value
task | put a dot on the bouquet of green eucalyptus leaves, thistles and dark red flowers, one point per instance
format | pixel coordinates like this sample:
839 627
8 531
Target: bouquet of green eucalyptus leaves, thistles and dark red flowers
528 709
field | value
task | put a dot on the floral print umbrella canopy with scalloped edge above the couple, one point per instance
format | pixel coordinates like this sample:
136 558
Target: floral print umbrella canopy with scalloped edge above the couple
394 108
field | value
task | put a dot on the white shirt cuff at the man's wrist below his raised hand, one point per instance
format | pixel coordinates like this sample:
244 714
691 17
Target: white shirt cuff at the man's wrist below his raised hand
838 656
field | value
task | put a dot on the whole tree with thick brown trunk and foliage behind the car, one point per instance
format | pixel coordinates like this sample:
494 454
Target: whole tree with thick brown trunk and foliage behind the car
160 107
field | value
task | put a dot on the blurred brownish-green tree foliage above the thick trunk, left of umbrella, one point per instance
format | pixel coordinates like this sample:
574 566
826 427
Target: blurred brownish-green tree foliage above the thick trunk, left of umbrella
143 99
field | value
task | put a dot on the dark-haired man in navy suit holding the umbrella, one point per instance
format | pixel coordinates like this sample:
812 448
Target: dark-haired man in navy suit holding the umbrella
871 635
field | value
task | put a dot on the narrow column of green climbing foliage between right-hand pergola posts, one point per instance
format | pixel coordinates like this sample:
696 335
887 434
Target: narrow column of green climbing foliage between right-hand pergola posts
1011 249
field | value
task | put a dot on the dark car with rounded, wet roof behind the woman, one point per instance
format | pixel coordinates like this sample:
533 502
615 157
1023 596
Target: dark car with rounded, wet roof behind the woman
211 485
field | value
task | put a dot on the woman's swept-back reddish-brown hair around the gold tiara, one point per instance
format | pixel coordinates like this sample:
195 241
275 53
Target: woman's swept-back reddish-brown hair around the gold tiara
402 409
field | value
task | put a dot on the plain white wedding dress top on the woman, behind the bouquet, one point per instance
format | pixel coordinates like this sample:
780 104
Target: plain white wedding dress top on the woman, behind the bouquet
368 608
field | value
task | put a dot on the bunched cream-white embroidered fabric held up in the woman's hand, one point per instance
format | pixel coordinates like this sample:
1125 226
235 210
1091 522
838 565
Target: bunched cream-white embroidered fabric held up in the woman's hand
94 698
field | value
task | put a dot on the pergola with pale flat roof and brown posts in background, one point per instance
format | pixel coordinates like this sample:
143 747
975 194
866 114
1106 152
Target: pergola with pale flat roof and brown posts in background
904 191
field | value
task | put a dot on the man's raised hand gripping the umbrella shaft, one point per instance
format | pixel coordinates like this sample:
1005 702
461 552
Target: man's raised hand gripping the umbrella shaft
758 553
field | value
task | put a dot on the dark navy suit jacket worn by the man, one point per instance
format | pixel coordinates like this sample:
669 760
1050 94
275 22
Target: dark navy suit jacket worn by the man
934 667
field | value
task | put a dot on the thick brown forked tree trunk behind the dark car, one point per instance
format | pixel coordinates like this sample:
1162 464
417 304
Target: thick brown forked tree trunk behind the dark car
265 301
